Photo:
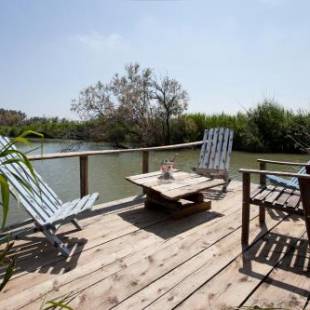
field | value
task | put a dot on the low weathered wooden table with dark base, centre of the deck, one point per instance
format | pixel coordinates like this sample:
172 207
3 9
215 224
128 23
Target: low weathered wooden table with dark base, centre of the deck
180 196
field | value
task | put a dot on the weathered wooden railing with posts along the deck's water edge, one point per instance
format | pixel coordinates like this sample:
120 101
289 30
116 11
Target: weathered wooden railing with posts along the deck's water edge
83 157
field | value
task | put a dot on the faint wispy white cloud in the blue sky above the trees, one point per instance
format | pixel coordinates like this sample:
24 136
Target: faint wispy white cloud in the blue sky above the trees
98 41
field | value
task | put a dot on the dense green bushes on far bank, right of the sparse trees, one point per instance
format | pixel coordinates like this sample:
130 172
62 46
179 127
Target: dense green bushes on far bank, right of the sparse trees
268 127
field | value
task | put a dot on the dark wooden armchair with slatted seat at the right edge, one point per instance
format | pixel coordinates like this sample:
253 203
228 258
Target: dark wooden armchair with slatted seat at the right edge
289 201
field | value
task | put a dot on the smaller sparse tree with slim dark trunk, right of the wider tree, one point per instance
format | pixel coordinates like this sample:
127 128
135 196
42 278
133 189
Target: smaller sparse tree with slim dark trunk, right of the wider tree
172 102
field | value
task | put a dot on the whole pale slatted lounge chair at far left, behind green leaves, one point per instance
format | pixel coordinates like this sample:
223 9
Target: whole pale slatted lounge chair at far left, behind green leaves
41 202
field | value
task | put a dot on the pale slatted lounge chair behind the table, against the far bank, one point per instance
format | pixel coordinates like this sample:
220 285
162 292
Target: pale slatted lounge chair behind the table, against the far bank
215 154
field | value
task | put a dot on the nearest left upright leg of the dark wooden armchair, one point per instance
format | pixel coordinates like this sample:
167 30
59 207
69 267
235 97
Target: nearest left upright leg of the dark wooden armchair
246 187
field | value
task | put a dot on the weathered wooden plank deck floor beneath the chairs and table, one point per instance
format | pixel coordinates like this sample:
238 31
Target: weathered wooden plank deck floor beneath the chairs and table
128 257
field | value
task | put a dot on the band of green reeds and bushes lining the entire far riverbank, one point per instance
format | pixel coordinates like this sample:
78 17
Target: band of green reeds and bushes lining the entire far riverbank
268 128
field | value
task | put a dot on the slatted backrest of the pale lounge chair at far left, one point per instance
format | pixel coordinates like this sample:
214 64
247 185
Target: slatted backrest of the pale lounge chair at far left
39 200
